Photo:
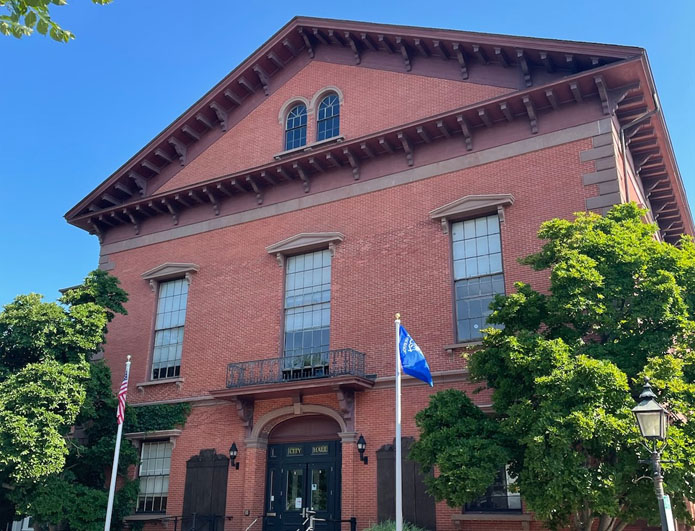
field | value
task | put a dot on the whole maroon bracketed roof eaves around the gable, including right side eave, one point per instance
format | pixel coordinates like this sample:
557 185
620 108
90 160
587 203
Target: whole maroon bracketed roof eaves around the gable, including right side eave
126 196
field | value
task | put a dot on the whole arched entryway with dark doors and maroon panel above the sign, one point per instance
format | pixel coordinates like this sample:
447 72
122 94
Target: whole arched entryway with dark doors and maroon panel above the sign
303 473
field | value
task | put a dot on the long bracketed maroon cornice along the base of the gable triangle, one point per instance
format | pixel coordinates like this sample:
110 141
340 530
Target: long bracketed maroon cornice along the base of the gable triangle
314 161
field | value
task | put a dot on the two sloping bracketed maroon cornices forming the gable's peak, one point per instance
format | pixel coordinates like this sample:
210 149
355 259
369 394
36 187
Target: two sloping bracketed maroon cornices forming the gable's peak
211 114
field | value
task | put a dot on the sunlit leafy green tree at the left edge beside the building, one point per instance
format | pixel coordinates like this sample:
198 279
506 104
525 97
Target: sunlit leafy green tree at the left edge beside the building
45 350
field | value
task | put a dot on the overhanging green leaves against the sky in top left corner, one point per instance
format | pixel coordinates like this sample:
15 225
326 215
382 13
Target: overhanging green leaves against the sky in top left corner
25 15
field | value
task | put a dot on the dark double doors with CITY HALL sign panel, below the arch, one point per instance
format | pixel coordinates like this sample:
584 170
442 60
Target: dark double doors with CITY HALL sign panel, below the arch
302 476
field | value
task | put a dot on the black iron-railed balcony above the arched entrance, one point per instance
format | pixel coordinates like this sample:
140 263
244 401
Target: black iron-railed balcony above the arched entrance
299 374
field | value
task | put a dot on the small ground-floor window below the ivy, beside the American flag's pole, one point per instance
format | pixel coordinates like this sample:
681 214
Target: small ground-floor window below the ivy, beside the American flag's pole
155 462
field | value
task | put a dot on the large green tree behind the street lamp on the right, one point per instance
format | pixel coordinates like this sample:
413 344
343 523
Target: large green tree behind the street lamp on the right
566 368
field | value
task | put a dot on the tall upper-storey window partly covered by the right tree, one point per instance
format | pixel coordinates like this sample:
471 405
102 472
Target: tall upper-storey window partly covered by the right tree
478 273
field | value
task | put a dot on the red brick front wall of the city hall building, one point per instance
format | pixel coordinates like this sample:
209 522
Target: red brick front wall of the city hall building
393 257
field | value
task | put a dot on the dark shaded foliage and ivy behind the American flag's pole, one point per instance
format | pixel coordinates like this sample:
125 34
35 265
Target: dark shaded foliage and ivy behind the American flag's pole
75 499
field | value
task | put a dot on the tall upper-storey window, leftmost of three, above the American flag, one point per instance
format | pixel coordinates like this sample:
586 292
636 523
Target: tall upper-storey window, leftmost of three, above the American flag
168 336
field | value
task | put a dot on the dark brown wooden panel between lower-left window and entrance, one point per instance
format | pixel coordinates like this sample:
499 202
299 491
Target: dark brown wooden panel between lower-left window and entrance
205 491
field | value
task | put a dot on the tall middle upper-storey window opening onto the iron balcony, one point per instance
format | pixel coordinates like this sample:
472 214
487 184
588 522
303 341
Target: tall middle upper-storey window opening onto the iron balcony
307 308
